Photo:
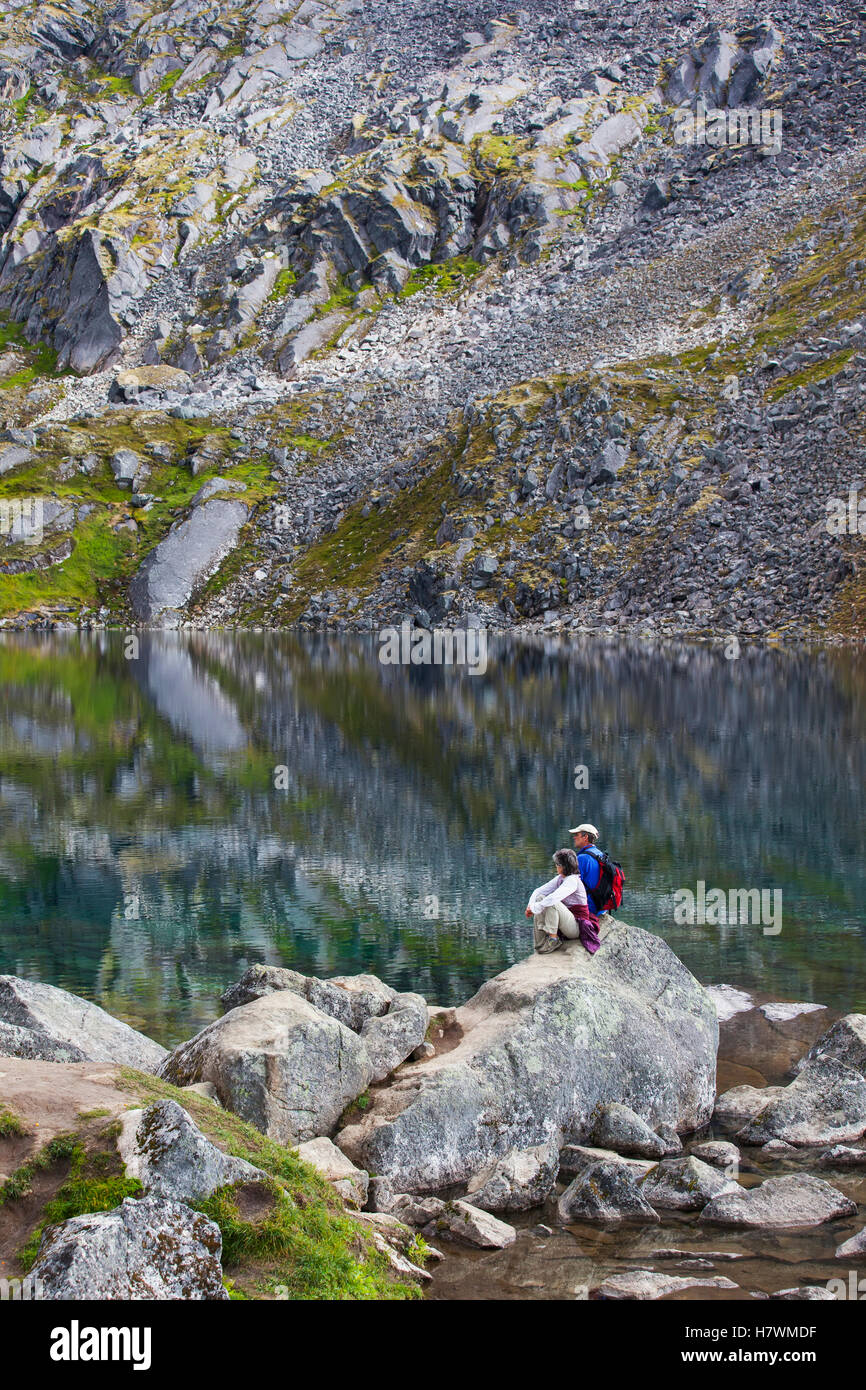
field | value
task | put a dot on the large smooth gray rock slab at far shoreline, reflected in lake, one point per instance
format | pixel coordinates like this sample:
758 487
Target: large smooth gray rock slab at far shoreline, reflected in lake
177 568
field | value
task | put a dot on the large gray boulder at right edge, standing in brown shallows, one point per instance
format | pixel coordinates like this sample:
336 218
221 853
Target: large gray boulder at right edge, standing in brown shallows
826 1104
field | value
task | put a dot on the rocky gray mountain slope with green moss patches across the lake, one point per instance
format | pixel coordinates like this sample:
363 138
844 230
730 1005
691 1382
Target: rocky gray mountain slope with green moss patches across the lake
348 313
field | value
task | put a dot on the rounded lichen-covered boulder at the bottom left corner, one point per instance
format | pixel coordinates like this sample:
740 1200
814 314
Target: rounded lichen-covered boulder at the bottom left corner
144 1250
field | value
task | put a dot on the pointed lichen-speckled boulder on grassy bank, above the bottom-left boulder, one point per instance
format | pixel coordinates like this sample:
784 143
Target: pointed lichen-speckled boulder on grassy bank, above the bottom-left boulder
165 1149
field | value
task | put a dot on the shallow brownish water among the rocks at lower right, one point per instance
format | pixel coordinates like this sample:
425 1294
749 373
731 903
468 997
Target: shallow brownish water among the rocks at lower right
548 1261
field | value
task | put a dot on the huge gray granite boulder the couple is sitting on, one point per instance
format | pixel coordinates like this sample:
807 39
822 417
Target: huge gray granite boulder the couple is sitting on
544 1046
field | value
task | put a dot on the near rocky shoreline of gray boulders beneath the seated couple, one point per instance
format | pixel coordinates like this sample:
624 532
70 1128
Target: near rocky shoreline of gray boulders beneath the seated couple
580 1090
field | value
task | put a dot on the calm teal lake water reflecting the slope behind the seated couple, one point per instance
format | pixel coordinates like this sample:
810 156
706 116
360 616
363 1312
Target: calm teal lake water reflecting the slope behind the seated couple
151 851
